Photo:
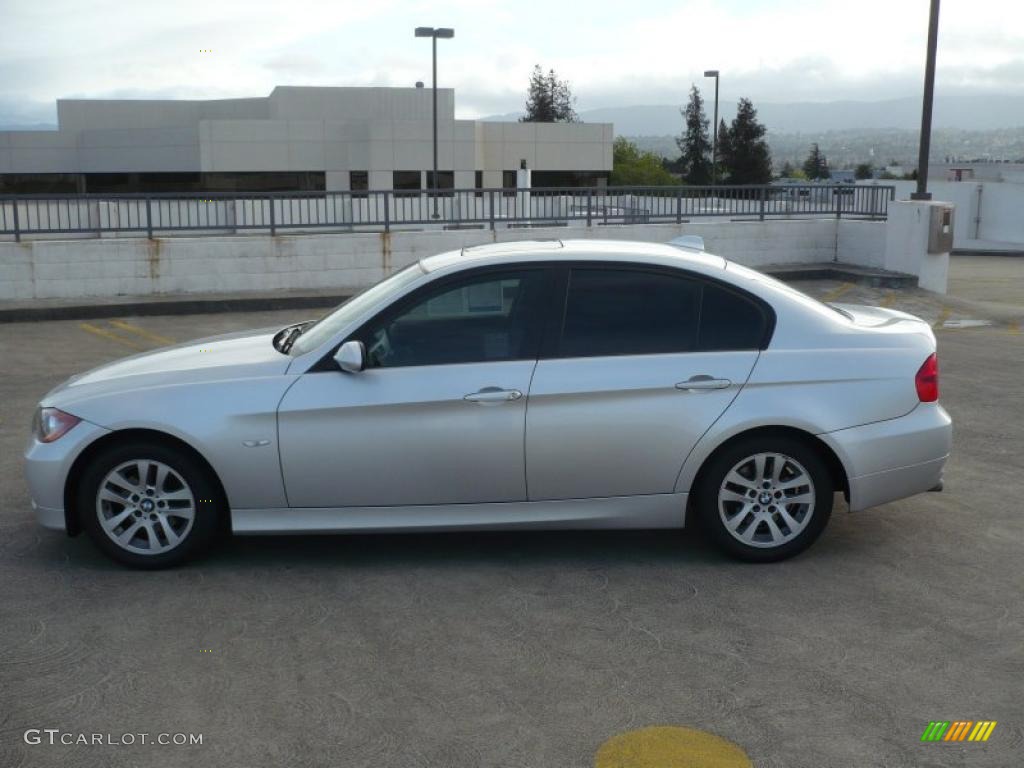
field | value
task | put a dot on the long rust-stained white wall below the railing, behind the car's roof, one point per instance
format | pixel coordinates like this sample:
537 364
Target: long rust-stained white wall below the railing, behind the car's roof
63 269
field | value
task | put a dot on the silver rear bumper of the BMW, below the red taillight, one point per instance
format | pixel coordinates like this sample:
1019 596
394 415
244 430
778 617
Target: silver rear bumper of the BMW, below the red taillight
894 459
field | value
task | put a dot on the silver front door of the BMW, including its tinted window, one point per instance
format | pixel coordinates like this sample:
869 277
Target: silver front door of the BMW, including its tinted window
438 416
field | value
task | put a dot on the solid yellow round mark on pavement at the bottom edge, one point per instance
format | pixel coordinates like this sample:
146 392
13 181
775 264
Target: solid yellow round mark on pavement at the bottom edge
670 747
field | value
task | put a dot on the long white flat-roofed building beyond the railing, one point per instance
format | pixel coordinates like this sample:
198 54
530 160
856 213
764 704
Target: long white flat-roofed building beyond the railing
296 139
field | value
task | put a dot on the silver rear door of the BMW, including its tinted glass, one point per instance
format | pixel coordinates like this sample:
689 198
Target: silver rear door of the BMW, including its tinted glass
645 363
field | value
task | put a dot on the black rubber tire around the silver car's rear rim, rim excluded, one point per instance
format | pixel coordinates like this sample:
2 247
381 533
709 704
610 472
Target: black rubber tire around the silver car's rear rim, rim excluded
707 497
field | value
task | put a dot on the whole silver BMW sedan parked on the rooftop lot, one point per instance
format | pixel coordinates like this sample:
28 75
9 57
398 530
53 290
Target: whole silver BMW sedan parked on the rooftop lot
526 386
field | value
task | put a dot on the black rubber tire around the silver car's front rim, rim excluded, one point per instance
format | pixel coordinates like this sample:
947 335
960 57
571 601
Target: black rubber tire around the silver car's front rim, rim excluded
208 504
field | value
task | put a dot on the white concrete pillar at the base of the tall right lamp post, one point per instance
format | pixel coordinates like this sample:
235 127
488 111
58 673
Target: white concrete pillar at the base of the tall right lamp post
908 240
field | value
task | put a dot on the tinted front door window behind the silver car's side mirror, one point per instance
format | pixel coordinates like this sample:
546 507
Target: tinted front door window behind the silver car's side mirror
484 319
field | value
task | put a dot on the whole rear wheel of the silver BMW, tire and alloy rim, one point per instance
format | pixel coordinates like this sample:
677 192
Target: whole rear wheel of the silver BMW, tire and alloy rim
784 518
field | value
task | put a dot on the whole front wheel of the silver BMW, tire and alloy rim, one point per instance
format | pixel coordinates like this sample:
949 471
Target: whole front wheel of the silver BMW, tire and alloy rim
149 506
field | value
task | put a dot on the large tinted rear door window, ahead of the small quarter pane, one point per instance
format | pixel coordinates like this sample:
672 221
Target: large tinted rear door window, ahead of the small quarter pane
619 312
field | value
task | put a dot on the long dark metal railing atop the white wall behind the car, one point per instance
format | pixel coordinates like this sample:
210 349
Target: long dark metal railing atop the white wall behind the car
170 214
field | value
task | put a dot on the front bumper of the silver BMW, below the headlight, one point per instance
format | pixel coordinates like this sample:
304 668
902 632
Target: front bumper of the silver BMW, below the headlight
47 468
